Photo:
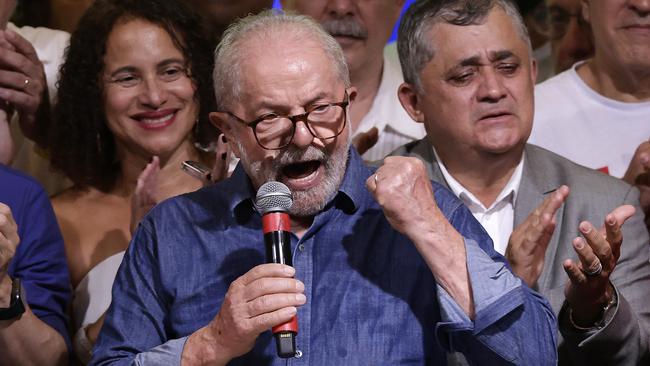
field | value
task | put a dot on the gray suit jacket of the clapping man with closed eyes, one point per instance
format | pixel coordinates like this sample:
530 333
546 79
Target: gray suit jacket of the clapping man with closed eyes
625 340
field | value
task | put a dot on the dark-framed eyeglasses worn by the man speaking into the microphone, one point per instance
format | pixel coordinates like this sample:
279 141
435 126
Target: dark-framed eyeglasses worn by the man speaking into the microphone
274 131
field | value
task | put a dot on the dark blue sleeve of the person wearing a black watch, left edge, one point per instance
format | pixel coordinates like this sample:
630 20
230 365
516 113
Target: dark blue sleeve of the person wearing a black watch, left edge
40 260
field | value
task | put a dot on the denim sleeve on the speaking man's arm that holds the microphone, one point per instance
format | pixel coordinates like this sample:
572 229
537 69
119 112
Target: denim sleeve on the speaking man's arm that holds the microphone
134 329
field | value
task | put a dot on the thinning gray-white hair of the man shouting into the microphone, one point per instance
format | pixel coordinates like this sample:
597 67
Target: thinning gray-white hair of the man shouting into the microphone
269 24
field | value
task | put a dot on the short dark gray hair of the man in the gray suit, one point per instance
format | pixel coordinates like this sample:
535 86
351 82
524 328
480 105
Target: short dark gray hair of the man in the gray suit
416 49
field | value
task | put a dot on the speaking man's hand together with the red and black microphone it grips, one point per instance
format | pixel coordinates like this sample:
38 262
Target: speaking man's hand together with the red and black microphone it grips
262 298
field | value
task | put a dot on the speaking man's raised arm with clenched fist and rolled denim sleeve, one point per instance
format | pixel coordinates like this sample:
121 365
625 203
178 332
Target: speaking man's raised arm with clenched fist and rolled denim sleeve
487 313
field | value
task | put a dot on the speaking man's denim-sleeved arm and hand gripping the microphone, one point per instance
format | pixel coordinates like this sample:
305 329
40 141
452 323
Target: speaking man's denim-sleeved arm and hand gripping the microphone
134 327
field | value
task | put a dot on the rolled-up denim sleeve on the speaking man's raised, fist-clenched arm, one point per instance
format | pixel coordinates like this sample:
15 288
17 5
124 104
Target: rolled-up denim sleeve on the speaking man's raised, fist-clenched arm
507 312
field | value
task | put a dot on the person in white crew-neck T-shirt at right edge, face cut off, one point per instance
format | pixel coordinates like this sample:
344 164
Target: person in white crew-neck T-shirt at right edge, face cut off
598 112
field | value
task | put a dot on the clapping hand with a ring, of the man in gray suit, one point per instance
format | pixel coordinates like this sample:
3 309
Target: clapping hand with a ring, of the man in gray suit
588 289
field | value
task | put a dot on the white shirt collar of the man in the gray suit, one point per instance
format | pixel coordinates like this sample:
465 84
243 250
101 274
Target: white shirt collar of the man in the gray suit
507 194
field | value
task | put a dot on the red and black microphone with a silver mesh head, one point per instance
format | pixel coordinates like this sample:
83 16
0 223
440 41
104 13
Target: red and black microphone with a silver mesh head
273 201
